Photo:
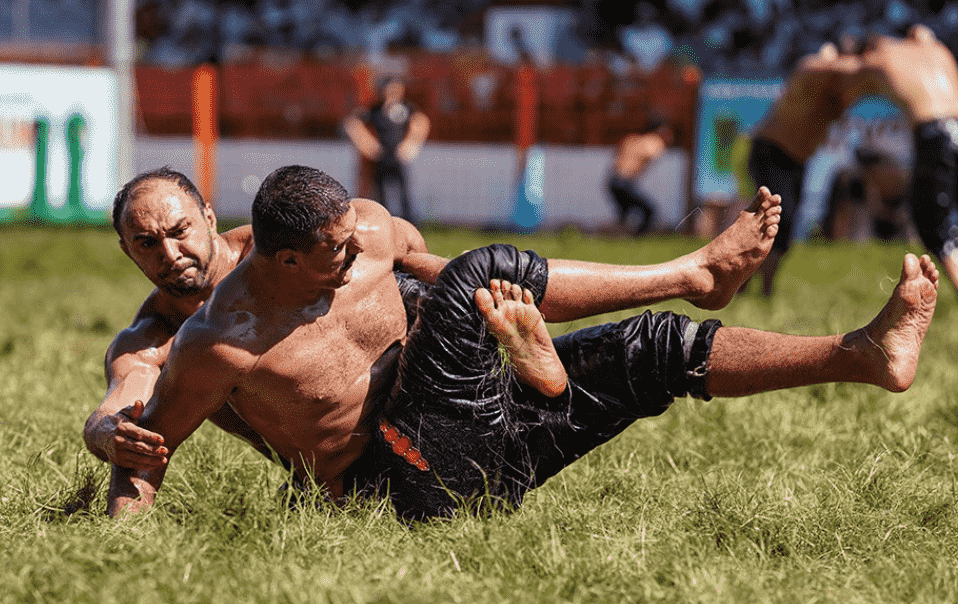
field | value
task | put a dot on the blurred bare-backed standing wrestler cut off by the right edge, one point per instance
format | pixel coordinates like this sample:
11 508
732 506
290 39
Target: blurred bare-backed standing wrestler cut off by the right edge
919 73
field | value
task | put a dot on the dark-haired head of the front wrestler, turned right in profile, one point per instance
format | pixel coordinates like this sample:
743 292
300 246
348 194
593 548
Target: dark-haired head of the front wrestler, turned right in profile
303 219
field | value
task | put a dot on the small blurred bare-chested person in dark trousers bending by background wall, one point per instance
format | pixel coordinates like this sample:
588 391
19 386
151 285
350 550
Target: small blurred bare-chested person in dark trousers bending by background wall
633 155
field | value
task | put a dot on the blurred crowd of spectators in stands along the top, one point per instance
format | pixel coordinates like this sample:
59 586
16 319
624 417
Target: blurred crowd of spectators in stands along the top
719 36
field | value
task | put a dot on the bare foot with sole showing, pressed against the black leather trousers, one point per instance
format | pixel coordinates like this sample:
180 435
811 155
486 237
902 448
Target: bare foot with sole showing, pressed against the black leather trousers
512 316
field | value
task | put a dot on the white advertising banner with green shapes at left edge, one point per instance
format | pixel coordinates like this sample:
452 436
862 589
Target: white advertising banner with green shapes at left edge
58 143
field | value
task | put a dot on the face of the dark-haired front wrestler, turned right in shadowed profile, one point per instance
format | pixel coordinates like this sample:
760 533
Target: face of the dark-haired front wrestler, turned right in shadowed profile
330 264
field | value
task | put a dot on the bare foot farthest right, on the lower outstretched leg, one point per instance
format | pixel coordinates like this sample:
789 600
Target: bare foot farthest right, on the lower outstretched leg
890 344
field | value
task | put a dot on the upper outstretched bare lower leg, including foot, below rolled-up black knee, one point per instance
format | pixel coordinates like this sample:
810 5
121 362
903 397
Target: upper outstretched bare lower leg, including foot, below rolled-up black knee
708 277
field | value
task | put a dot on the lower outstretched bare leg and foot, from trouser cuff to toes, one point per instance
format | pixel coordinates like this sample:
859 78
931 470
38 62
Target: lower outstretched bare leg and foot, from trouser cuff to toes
883 353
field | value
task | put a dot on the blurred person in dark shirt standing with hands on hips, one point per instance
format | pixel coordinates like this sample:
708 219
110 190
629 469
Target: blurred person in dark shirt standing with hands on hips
390 134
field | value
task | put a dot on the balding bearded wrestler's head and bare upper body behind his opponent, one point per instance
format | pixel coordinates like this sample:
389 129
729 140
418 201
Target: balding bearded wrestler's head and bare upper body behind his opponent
169 231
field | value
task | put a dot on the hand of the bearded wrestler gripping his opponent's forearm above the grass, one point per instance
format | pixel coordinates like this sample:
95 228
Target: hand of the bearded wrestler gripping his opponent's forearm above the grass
128 445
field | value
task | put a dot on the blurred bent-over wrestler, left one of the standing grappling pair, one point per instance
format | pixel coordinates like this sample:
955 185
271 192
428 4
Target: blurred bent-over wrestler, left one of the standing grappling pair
815 95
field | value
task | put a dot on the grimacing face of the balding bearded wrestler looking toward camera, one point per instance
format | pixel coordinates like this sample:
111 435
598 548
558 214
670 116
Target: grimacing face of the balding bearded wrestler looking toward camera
170 238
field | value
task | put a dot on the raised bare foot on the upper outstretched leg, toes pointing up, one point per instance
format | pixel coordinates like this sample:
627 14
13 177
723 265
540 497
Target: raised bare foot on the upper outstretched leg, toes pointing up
729 260
